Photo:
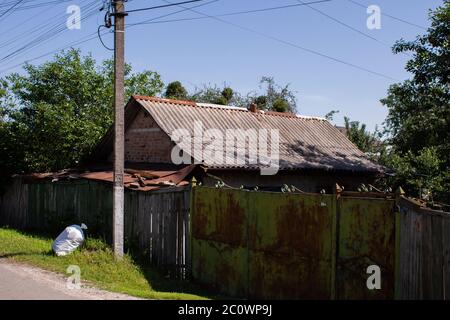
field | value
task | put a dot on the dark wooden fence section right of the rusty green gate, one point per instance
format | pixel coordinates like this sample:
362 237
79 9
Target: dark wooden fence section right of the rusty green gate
423 269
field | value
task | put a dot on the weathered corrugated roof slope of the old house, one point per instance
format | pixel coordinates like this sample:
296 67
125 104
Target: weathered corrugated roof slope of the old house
305 142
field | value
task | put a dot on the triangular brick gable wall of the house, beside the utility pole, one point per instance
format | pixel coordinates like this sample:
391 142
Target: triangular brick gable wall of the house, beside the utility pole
146 142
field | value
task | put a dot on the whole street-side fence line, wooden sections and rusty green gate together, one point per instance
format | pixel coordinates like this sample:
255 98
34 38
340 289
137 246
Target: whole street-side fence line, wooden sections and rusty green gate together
235 232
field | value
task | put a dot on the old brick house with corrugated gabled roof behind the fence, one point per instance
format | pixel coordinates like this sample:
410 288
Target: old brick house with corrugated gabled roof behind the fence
312 154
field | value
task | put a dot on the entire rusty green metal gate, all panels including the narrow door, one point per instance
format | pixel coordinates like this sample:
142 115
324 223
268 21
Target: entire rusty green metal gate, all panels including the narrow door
291 246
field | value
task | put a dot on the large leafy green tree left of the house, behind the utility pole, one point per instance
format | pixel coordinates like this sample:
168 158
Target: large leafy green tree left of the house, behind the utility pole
55 113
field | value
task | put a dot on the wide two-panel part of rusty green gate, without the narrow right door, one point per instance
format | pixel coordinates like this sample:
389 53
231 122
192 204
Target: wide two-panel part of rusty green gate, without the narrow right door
264 245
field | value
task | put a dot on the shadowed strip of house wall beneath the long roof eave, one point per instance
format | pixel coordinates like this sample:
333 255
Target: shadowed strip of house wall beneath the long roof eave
307 181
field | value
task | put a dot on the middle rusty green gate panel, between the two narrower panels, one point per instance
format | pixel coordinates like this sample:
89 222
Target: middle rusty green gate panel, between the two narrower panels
291 246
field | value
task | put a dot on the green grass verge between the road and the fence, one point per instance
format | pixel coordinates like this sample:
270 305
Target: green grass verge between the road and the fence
98 267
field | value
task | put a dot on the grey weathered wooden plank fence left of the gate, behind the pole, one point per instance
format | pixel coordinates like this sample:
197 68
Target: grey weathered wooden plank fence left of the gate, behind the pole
156 223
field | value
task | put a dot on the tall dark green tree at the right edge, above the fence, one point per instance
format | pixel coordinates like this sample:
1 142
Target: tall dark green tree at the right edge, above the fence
417 126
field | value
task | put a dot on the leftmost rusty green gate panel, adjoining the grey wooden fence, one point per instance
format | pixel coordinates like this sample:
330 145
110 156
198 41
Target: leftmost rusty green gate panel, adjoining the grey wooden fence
219 239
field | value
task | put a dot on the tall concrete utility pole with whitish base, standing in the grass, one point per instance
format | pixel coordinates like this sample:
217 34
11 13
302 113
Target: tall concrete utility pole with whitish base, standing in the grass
119 140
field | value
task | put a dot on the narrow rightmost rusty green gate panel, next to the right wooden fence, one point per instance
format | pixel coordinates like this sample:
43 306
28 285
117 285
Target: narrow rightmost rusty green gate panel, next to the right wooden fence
366 233
